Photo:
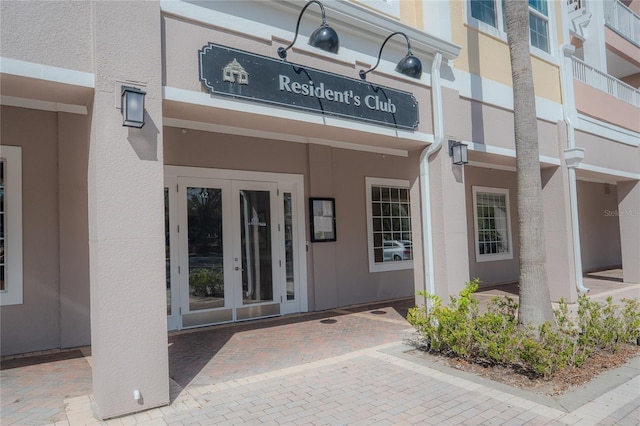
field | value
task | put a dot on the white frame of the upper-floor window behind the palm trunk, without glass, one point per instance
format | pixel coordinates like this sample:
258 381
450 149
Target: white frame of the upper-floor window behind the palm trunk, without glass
500 32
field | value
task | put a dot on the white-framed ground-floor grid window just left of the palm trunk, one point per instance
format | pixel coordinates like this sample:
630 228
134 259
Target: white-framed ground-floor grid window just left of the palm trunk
492 224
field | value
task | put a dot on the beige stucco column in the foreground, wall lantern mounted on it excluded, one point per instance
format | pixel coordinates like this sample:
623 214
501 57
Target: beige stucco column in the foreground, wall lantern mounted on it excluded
126 215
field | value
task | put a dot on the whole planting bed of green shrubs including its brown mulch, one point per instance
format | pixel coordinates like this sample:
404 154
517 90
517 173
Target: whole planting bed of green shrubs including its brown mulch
492 343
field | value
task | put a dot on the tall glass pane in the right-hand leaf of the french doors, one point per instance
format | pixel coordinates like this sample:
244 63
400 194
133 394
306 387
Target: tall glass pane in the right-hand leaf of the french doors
255 247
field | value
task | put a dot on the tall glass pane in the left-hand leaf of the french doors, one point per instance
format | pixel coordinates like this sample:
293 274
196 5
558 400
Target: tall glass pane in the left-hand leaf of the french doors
206 273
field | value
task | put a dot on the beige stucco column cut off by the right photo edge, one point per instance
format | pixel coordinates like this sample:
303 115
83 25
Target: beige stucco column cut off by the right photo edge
629 218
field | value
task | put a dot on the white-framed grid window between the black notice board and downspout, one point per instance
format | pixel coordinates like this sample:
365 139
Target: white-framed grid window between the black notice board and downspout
389 224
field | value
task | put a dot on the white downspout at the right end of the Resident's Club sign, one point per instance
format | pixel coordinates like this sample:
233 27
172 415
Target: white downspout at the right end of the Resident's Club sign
438 134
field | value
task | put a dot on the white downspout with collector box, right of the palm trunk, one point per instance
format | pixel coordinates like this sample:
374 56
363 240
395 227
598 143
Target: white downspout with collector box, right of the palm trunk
572 158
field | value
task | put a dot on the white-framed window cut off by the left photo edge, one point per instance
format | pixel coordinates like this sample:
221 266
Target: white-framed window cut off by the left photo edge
10 225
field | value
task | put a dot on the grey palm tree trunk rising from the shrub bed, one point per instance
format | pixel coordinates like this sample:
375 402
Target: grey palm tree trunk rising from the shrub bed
535 301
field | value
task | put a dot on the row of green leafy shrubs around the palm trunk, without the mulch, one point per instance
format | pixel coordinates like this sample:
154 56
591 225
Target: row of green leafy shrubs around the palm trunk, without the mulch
494 337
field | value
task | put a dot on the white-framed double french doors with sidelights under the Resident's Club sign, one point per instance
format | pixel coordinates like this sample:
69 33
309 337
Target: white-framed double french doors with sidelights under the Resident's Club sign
238 253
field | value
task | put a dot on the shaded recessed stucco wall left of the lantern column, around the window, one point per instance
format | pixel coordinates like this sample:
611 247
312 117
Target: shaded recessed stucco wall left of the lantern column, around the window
55 266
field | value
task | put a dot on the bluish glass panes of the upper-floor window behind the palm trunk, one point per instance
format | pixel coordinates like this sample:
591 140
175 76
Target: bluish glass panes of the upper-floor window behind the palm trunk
488 16
